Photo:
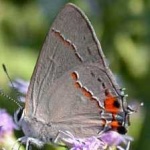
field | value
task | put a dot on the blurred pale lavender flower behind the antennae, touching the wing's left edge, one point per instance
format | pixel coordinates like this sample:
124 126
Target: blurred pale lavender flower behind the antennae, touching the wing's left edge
22 87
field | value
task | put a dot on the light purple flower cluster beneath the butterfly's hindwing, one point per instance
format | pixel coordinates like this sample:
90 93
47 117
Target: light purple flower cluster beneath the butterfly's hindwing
101 142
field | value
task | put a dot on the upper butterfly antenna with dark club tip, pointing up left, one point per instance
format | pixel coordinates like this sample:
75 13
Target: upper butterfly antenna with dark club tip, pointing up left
5 70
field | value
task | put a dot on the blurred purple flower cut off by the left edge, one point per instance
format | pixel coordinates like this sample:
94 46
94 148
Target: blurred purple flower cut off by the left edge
6 124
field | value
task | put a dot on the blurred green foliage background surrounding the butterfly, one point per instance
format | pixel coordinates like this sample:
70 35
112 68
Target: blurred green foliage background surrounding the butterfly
122 26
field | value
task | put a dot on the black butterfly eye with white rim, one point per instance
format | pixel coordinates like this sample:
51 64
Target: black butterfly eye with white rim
18 116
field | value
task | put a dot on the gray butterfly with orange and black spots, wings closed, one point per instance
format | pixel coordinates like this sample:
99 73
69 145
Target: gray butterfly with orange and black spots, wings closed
72 89
